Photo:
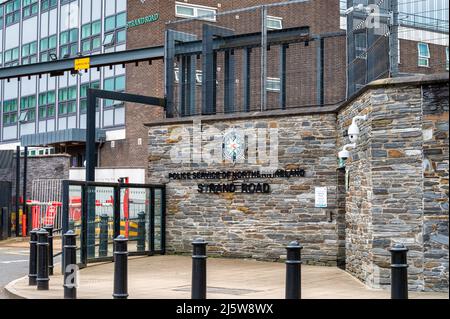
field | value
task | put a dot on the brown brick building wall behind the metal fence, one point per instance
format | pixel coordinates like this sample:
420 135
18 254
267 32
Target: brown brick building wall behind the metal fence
148 79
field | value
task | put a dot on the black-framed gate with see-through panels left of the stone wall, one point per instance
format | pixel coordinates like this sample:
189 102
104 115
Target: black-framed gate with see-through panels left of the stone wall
99 212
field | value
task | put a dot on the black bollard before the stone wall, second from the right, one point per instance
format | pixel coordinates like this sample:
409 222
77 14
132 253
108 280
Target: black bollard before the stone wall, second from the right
293 271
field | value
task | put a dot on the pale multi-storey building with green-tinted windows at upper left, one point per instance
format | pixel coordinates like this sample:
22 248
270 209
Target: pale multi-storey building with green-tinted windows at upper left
34 31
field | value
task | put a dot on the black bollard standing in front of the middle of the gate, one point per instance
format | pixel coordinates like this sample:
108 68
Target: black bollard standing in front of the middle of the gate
120 268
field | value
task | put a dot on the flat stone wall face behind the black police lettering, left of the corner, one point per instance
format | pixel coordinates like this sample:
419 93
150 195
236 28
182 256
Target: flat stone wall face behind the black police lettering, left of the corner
254 225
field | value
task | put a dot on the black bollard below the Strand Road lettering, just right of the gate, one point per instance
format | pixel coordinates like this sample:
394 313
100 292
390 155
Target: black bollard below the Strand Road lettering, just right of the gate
199 269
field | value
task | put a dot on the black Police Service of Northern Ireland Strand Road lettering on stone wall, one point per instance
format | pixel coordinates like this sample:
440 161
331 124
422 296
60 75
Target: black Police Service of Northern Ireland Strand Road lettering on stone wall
245 187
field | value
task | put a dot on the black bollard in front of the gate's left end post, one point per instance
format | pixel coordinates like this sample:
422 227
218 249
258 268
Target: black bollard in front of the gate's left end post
70 265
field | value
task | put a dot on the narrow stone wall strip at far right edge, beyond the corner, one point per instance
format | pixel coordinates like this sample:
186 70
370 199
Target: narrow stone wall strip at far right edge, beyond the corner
435 186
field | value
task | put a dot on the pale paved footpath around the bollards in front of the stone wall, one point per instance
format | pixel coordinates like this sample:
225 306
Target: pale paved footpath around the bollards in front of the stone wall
168 277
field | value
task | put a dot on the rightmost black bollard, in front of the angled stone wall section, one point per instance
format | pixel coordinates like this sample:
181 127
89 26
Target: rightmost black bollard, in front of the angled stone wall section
399 272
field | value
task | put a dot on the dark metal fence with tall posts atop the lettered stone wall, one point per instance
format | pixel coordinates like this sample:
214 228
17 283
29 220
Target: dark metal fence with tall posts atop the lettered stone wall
253 59
